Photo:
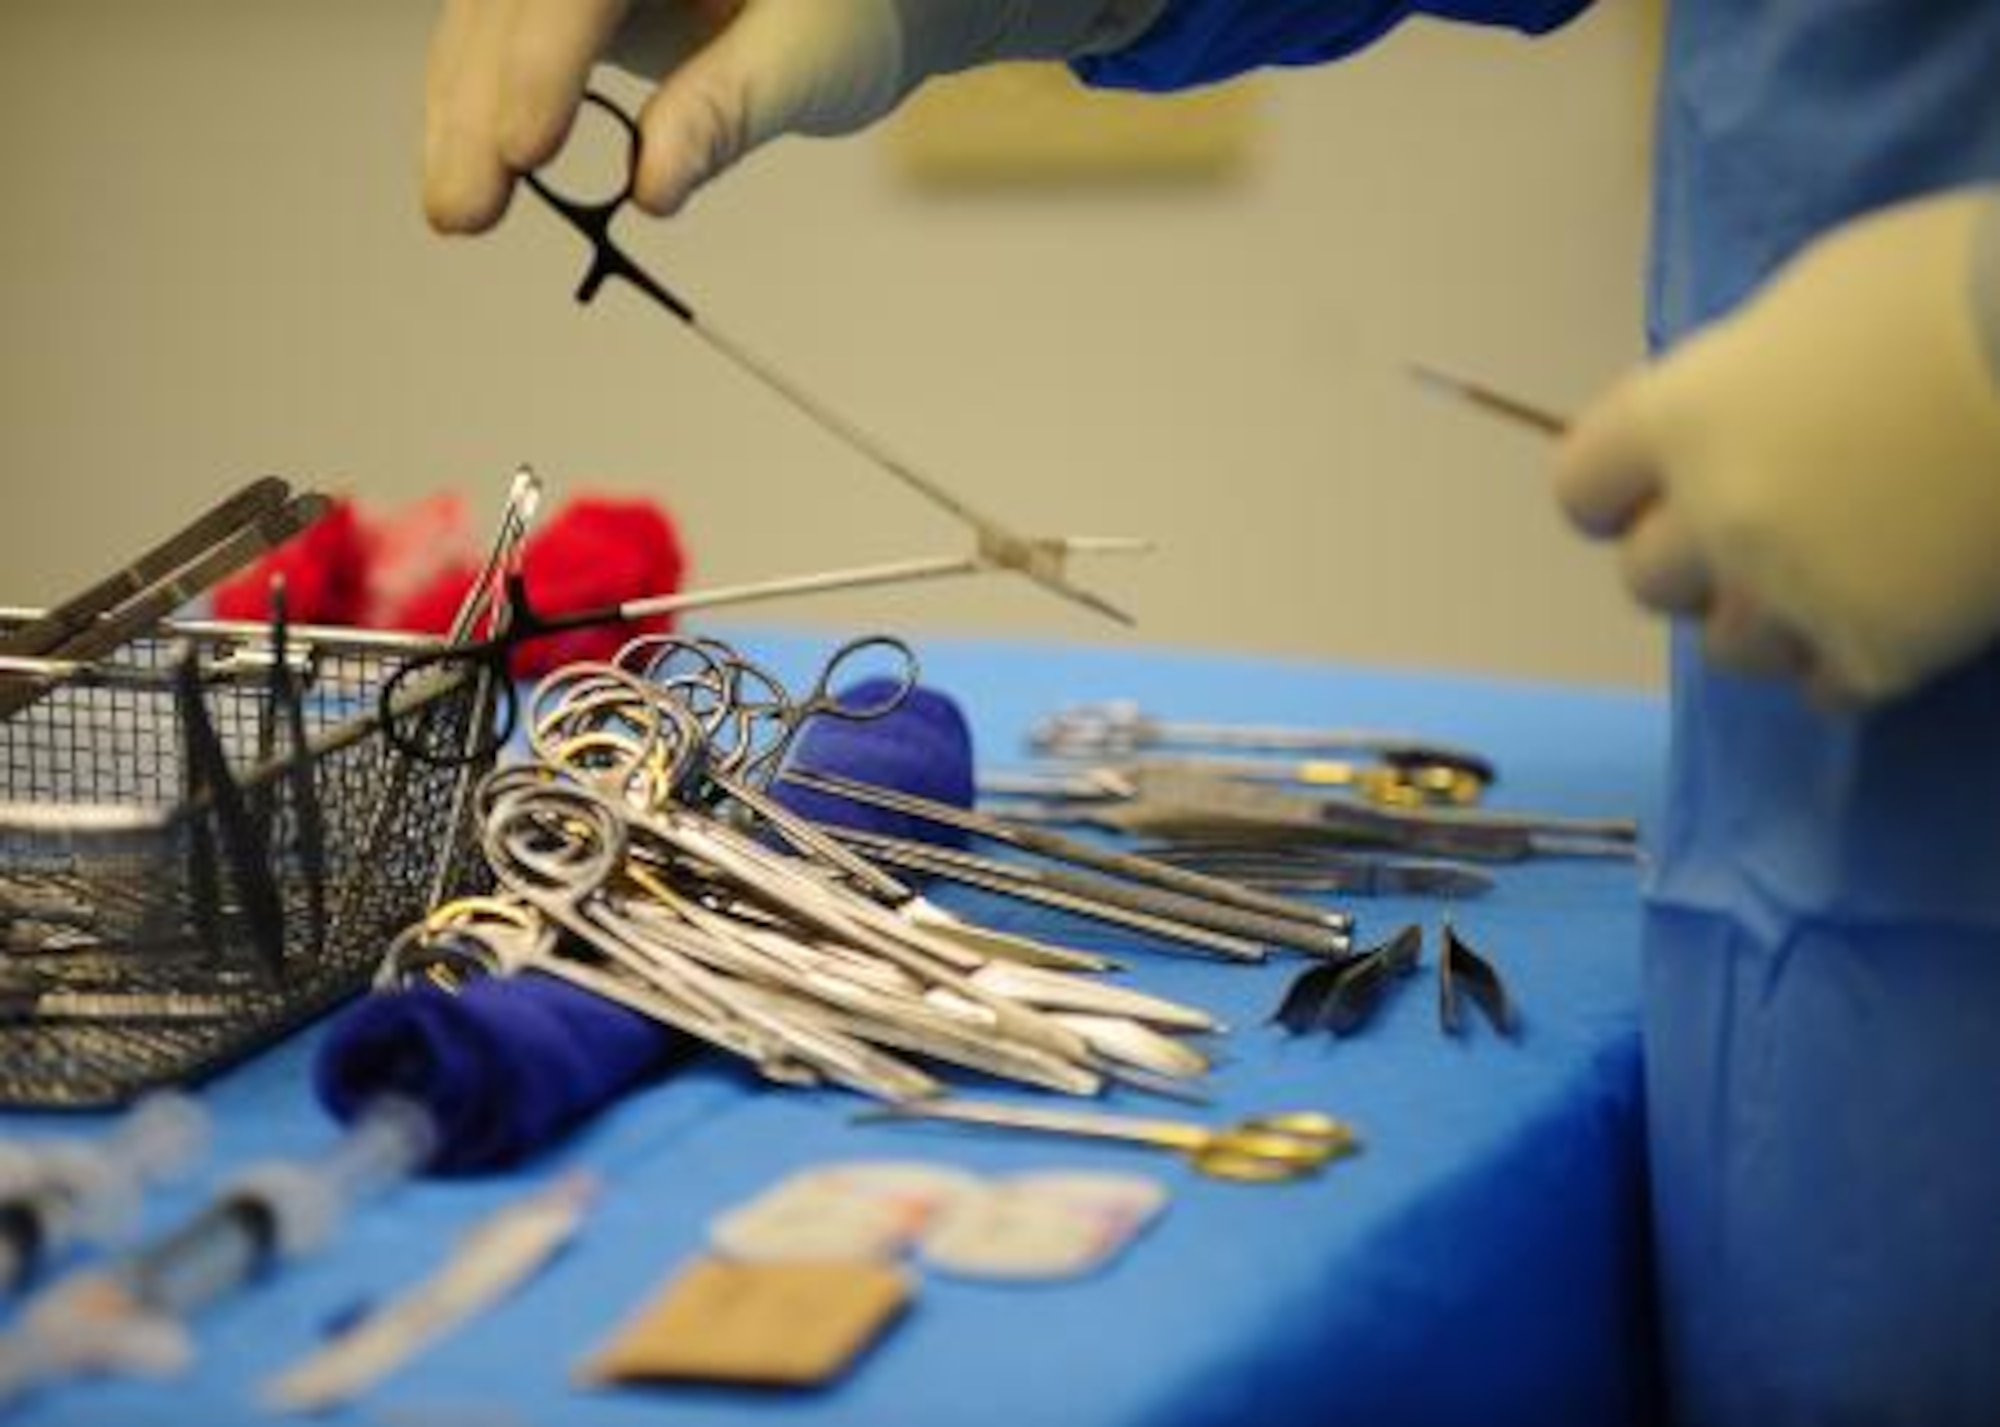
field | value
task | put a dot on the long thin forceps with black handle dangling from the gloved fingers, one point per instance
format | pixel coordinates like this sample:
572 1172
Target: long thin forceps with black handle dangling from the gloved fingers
1035 557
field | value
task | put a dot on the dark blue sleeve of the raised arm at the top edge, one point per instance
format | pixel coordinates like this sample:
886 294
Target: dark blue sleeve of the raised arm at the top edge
1207 41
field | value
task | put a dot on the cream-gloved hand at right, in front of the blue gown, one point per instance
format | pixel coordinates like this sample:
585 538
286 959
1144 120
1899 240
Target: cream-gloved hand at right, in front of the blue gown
1817 479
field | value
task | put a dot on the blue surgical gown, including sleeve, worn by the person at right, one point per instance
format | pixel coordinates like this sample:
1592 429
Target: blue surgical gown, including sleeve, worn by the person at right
1823 934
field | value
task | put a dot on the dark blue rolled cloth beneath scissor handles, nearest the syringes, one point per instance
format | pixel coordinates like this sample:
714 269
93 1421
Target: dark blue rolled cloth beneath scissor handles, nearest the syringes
503 1066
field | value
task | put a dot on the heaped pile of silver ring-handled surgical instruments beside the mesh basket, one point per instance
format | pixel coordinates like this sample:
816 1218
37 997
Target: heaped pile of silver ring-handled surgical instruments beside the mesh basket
641 854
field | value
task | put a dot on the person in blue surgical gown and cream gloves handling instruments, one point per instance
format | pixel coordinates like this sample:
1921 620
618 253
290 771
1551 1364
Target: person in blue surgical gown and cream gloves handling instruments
1807 479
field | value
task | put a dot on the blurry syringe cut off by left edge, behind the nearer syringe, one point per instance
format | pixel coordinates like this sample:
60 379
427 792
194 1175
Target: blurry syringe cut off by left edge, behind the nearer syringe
67 1192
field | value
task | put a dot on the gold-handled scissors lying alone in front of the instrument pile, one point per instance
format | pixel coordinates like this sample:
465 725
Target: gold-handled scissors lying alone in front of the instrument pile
1259 1150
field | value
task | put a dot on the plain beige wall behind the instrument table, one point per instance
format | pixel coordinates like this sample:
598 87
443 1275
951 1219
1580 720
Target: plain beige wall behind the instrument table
213 267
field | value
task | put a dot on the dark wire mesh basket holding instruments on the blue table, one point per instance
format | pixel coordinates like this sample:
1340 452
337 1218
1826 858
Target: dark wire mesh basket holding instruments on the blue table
205 842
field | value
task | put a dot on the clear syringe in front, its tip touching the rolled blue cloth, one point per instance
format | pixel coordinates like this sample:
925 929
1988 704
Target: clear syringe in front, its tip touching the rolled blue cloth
133 1314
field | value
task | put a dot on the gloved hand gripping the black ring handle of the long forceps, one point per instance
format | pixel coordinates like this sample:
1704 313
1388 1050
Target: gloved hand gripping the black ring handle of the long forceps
507 77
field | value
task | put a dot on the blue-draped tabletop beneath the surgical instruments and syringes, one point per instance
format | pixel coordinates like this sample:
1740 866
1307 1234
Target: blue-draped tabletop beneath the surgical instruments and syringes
1483 1260
